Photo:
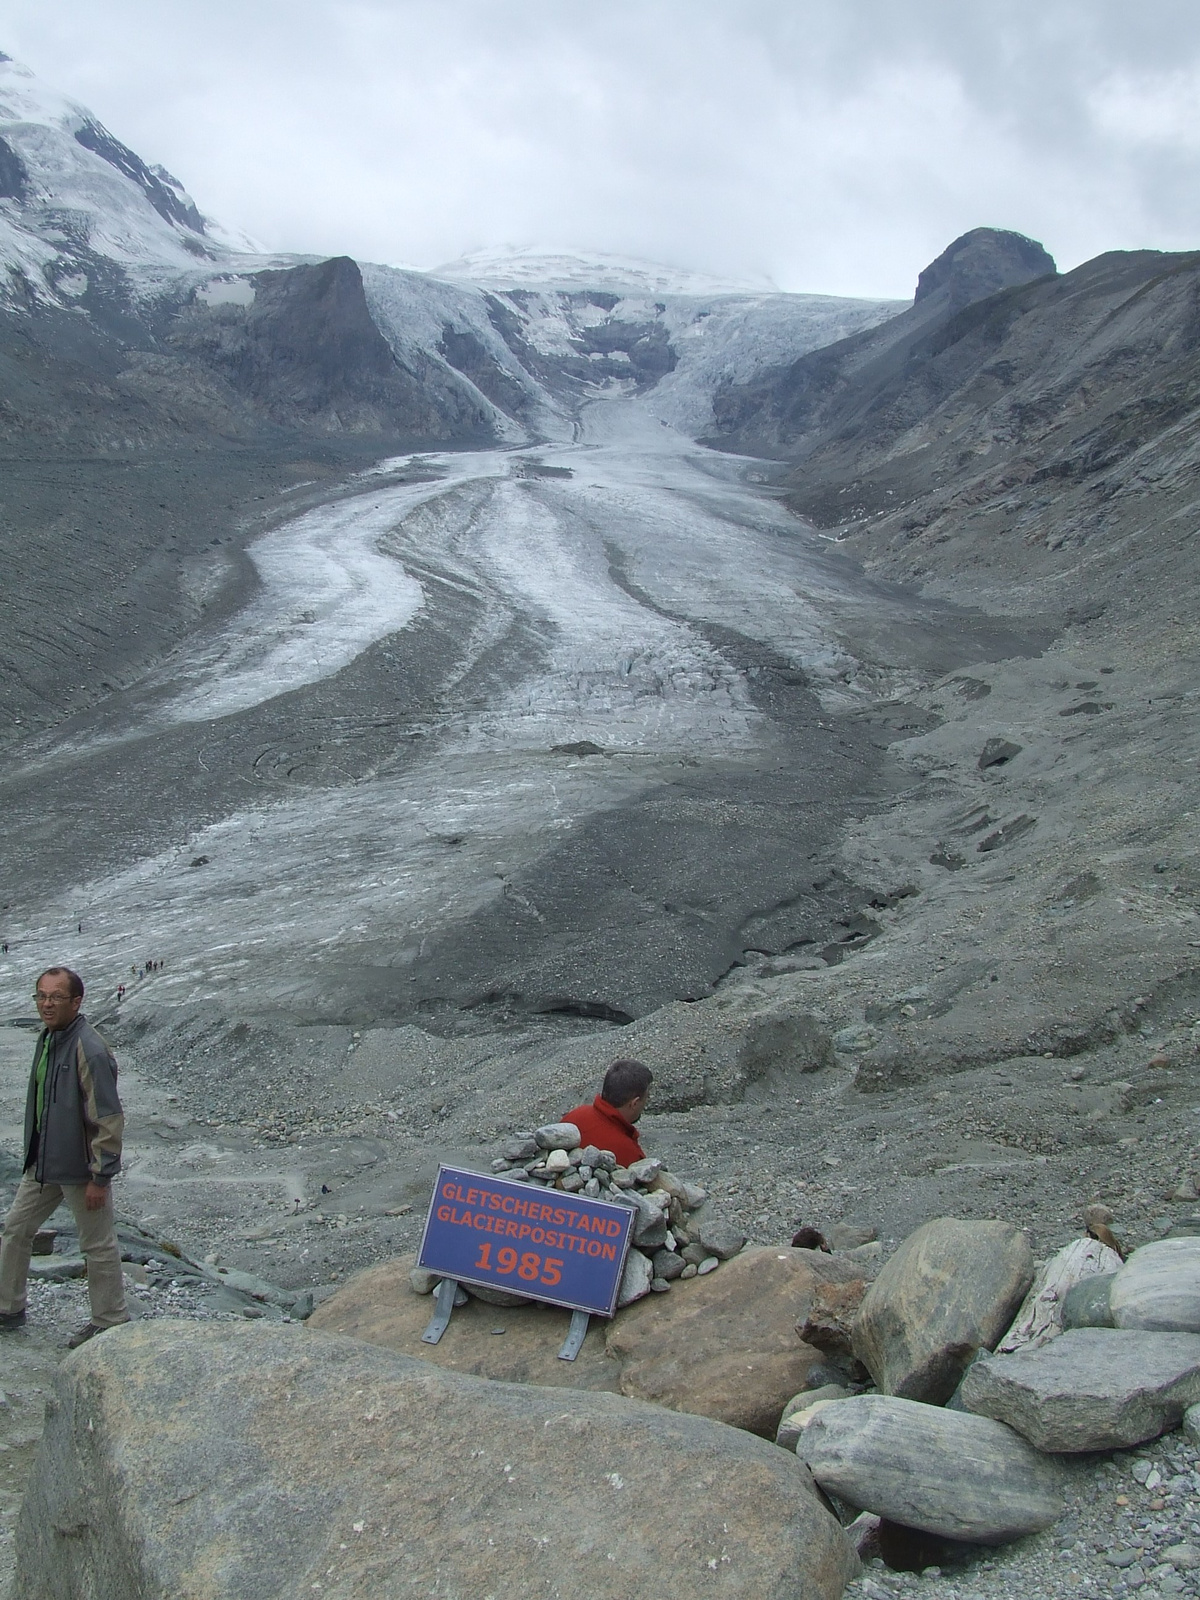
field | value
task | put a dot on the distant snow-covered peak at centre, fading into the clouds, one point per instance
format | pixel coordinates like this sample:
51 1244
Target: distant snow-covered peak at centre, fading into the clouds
513 266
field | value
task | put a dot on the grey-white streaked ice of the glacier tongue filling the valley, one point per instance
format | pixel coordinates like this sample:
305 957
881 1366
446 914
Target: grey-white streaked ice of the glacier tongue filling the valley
615 564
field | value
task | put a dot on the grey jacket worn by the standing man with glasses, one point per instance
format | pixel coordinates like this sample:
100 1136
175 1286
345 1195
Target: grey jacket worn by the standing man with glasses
82 1124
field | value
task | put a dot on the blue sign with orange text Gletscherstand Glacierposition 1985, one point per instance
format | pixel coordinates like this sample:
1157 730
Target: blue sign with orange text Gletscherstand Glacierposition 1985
537 1242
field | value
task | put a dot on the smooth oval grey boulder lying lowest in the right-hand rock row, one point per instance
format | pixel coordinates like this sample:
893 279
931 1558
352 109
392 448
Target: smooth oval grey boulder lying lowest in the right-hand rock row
948 1473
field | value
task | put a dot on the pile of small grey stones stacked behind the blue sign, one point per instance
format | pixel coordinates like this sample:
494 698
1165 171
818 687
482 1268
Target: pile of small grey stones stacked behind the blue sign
671 1238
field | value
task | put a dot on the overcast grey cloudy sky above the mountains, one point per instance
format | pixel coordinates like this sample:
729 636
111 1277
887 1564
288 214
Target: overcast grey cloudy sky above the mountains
831 145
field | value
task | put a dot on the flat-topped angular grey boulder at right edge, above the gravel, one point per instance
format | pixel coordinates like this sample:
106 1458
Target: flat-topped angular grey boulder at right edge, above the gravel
1090 1390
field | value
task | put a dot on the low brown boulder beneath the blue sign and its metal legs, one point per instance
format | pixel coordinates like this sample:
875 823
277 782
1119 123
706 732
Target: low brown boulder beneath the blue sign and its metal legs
518 1345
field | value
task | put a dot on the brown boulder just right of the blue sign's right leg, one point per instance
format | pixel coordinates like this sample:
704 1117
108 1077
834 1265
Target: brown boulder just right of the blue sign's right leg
726 1345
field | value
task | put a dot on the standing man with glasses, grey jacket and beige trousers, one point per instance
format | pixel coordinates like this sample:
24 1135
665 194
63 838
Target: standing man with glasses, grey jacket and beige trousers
73 1151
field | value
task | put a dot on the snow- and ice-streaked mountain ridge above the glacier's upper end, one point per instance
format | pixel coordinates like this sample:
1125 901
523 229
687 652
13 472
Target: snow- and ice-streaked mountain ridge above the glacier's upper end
89 226
